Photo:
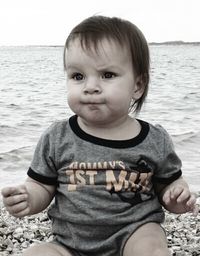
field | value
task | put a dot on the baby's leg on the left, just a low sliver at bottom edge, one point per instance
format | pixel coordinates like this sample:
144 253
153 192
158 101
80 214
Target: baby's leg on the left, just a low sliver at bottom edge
47 249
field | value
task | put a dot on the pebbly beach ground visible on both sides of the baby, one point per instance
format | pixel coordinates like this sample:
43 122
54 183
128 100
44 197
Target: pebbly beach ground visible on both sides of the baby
182 231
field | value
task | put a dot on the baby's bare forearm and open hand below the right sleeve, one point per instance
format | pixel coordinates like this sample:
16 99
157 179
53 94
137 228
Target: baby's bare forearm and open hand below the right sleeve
177 198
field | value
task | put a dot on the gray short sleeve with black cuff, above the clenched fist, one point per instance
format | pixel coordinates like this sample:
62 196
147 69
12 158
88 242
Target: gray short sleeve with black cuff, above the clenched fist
43 165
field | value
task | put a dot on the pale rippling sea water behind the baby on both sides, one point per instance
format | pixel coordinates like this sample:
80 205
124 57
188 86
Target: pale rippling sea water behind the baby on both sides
33 95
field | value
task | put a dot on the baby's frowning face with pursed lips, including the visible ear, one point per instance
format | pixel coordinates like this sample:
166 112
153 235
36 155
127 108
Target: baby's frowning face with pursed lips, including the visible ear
101 84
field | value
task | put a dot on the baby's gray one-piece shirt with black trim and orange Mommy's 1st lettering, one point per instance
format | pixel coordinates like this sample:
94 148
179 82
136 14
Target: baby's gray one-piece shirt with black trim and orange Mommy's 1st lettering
105 188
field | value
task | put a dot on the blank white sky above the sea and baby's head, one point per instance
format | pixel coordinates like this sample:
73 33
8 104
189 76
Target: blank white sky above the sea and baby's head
48 22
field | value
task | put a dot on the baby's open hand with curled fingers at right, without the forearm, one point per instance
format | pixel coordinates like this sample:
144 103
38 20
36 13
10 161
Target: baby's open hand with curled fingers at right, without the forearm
178 199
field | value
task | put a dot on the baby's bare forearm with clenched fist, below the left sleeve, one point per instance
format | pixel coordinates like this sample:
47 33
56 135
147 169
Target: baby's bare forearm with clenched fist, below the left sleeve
29 198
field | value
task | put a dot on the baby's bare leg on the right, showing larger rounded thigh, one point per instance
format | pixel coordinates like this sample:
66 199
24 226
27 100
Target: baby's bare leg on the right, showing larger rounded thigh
147 240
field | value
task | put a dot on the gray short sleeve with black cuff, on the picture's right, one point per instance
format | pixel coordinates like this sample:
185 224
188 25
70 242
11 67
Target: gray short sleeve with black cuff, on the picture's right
169 166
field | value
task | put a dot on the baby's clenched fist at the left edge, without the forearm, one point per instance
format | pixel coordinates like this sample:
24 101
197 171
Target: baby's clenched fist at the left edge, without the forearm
16 200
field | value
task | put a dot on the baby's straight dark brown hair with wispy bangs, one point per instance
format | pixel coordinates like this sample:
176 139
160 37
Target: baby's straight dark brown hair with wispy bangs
93 29
